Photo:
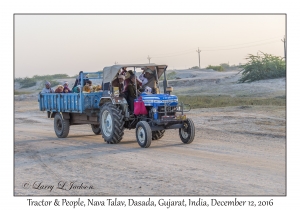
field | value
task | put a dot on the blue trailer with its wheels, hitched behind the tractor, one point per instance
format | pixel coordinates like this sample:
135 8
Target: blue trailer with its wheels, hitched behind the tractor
73 108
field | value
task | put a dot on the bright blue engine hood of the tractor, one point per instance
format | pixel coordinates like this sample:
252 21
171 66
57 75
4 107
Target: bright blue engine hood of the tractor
159 99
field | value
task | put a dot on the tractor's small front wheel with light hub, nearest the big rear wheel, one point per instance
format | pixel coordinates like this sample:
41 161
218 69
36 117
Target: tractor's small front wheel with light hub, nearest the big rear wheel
143 134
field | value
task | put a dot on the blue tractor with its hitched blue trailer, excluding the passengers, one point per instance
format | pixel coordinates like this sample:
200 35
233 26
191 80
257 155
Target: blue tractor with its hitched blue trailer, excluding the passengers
109 113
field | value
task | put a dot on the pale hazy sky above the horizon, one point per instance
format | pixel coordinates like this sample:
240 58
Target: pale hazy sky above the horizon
55 44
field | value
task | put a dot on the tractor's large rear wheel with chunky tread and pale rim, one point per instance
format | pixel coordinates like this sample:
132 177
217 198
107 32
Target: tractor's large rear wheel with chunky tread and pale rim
112 123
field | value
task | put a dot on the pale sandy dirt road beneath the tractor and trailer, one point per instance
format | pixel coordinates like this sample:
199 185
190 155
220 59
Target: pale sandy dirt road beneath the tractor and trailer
236 151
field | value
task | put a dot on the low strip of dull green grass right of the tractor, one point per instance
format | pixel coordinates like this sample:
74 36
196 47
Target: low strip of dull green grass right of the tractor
223 101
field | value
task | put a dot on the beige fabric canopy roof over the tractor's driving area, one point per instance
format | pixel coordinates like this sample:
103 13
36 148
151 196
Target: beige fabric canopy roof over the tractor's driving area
110 72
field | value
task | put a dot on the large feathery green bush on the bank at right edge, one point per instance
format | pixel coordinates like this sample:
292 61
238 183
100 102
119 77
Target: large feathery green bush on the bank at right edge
265 66
